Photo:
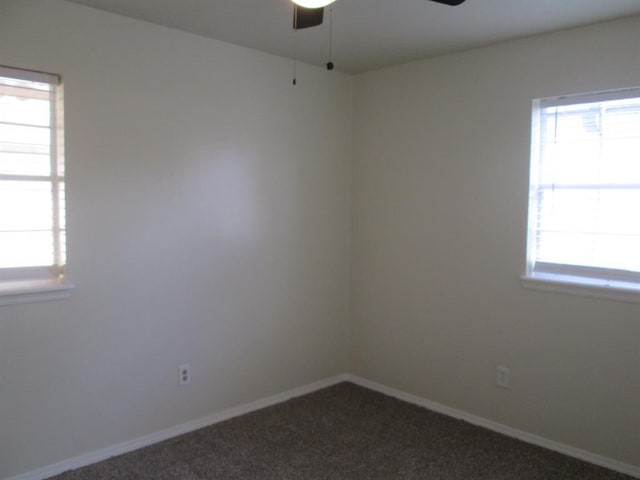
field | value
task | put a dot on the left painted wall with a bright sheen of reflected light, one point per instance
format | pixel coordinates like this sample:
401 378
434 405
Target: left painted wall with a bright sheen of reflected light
208 222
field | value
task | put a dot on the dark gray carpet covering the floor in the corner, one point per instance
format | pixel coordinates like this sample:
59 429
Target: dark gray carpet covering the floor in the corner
343 432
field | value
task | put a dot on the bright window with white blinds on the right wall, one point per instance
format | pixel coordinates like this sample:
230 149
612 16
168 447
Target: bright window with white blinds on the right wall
584 202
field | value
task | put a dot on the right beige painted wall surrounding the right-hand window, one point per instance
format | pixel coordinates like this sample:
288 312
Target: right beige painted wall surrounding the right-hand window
440 182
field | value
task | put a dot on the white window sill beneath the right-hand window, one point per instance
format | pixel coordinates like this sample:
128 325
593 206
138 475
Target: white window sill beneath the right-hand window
620 291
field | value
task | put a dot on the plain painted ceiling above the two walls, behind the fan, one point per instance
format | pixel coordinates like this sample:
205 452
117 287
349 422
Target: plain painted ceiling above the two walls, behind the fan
369 34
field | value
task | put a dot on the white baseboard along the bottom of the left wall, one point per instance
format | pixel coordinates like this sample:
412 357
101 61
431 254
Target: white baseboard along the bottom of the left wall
146 440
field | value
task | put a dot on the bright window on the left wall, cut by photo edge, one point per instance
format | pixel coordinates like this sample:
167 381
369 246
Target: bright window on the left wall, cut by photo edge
32 220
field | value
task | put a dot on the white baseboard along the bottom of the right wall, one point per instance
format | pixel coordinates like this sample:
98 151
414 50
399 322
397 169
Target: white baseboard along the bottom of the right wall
568 450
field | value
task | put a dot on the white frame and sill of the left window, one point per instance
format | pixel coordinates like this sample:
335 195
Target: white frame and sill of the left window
26 284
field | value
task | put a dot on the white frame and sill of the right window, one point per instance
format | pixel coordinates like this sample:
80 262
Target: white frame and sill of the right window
596 282
